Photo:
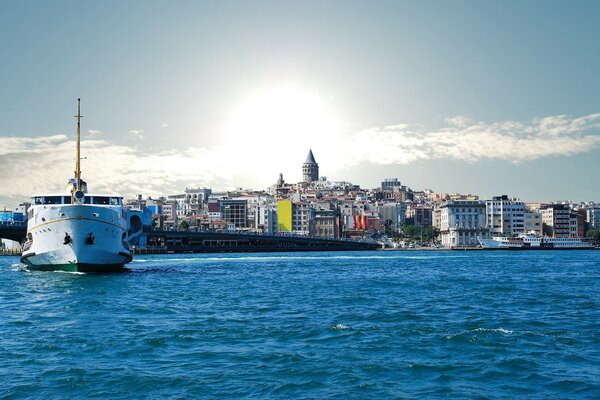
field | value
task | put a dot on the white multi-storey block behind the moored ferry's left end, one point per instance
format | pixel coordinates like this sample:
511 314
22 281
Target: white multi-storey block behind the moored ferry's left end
504 216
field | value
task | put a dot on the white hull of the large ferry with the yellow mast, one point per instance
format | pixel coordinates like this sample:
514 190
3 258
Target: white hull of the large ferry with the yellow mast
77 238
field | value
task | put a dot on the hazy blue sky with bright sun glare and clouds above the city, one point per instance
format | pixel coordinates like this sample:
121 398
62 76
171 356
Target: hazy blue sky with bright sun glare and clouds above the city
483 97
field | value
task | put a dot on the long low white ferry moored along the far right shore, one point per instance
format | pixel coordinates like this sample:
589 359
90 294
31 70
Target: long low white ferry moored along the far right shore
532 242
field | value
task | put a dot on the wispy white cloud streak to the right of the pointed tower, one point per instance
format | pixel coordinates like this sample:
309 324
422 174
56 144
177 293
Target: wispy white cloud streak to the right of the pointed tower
471 141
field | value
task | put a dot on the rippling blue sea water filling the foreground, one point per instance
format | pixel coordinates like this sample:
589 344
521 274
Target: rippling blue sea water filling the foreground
412 324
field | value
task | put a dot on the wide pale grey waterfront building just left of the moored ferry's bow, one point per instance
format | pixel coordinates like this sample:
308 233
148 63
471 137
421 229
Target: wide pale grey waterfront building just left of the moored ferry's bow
462 222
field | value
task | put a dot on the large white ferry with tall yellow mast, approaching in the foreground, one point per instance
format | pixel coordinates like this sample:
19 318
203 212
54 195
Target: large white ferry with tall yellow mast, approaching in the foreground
77 232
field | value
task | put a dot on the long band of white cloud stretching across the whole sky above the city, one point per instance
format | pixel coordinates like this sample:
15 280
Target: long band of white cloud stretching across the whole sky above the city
44 164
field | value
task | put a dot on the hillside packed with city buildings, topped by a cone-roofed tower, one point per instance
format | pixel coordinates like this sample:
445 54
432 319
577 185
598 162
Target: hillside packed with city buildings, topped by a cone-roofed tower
319 207
